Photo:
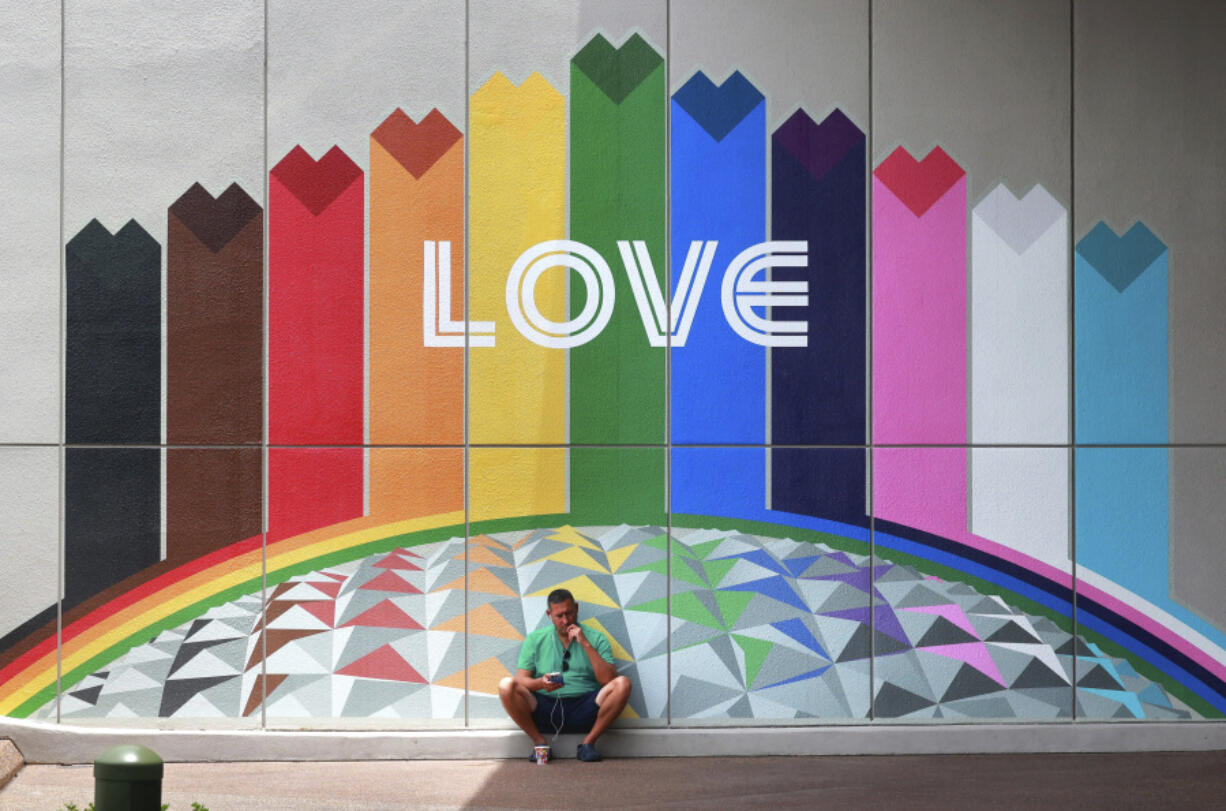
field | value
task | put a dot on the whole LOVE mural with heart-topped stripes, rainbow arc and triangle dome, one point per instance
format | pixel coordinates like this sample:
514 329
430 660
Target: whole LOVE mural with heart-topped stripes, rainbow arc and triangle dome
817 427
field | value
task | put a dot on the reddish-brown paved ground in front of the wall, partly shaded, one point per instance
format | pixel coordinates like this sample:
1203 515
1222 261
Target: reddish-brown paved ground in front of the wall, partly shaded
1146 781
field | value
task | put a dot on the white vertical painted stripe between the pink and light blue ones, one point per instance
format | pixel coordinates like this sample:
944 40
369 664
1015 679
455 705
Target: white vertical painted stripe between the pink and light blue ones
1019 373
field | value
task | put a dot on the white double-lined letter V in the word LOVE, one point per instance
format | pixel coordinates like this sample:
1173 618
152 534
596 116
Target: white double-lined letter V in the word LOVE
650 298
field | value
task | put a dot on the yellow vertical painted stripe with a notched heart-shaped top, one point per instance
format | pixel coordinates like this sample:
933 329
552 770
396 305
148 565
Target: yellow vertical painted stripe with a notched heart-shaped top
518 389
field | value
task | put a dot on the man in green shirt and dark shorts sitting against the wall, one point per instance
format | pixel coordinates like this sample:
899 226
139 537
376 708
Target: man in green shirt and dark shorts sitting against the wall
592 694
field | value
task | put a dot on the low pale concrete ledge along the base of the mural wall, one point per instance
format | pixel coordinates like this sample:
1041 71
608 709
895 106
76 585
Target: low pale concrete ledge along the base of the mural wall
42 743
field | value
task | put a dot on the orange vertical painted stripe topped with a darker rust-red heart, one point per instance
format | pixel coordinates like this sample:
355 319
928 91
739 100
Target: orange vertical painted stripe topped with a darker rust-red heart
416 390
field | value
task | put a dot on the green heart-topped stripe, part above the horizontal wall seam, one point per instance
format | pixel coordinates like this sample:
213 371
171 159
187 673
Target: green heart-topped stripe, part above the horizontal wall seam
617 193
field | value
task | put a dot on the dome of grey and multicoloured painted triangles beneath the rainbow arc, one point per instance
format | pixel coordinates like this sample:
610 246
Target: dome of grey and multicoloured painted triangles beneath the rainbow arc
758 628
